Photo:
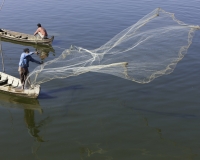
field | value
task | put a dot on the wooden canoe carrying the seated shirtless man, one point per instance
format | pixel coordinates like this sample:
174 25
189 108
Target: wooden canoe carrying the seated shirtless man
23 37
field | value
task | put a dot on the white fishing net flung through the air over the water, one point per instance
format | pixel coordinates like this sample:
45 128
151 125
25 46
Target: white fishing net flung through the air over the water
146 50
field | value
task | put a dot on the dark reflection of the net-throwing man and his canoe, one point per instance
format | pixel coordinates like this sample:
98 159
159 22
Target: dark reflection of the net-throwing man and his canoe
29 106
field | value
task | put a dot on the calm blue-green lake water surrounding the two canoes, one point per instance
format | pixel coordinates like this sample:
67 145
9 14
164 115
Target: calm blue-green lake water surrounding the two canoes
96 116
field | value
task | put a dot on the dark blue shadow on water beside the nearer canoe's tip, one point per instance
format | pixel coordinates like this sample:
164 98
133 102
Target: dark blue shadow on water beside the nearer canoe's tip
47 95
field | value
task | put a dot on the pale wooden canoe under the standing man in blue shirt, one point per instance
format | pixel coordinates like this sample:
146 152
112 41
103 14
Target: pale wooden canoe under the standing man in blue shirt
12 85
